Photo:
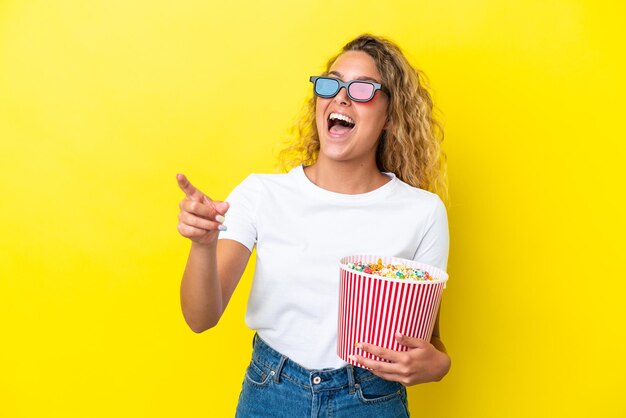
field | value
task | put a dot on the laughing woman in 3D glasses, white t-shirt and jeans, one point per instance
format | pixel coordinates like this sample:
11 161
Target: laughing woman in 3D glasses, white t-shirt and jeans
370 150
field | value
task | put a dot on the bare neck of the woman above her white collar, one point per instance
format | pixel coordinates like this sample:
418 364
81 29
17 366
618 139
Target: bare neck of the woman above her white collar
345 177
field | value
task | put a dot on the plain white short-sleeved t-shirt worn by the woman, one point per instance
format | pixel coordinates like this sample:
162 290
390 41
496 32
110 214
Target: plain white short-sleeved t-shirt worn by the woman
301 231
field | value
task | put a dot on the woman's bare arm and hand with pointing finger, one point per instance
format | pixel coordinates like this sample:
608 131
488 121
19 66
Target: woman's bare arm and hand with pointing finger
214 267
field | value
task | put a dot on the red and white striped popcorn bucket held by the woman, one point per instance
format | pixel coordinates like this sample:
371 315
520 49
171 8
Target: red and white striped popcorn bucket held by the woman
372 308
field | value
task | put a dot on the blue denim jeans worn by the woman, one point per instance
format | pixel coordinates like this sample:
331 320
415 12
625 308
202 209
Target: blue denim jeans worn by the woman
275 386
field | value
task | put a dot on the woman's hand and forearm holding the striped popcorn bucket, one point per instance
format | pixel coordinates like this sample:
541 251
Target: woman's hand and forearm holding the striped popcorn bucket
423 362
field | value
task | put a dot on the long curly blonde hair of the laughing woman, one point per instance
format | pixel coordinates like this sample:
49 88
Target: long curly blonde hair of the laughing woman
411 145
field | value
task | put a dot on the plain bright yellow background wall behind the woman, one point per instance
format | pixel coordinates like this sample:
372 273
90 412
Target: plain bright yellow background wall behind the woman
103 102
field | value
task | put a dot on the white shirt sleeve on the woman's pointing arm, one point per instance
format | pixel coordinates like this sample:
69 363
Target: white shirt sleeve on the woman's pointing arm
241 216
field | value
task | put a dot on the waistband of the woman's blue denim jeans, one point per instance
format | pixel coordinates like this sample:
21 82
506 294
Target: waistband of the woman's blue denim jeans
314 379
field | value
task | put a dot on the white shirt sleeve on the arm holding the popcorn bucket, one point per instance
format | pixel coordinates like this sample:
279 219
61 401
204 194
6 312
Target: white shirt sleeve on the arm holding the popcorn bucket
435 244
